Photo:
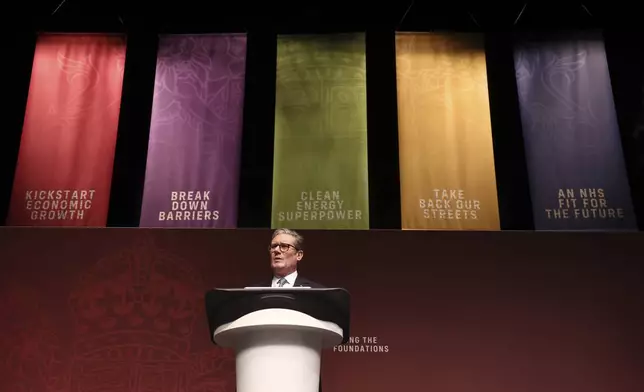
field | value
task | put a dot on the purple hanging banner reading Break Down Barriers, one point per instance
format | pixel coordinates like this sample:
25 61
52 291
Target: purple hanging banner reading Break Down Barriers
192 173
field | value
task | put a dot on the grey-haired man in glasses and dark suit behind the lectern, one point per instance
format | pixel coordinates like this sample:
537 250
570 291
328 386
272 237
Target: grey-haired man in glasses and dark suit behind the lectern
287 250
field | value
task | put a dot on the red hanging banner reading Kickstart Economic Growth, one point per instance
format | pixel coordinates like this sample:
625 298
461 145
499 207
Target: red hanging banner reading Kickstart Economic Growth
64 168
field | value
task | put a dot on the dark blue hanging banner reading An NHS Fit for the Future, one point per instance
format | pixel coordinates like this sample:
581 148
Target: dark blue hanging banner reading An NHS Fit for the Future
574 154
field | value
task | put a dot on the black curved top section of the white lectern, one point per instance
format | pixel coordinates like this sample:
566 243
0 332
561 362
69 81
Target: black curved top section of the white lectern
225 305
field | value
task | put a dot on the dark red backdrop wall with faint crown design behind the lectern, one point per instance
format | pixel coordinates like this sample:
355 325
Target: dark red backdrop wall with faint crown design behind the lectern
121 309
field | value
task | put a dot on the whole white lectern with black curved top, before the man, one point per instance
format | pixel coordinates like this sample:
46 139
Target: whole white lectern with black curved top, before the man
278 334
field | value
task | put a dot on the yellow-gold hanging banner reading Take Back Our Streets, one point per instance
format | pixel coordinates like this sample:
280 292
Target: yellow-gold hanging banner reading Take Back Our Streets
445 134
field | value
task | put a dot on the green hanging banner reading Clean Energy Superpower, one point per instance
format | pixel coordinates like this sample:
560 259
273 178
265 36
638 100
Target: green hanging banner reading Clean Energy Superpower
320 177
